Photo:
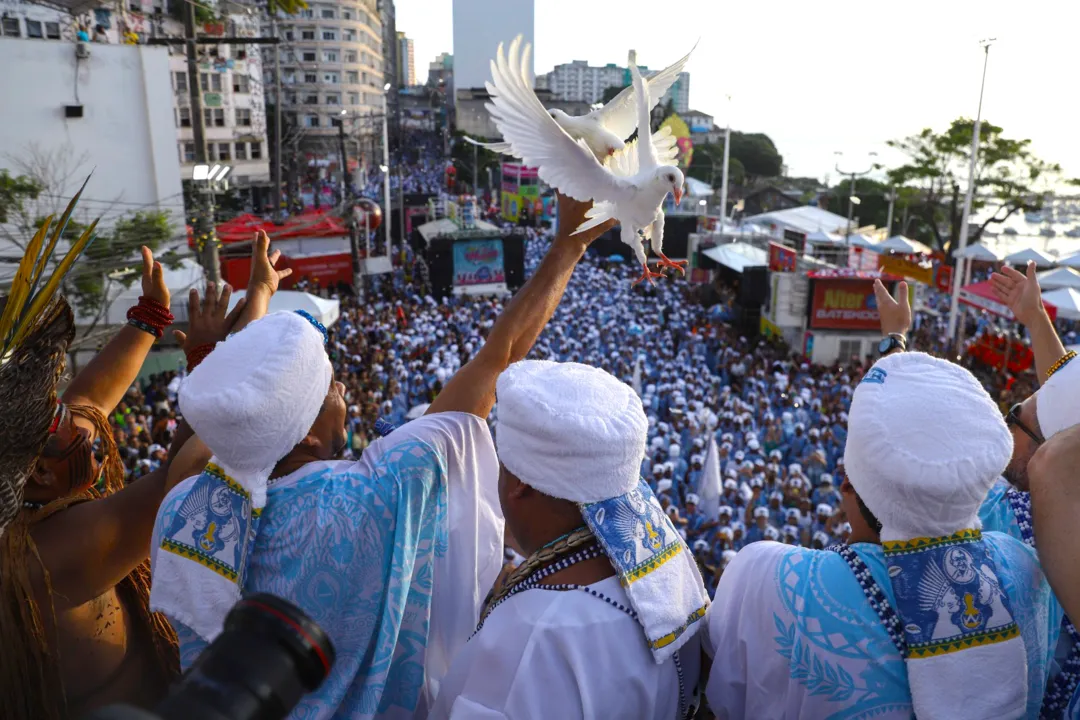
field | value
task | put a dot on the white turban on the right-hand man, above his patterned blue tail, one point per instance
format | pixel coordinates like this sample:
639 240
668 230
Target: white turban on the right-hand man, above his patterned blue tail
926 443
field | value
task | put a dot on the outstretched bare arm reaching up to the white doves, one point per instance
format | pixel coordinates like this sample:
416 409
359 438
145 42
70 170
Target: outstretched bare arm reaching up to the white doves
472 388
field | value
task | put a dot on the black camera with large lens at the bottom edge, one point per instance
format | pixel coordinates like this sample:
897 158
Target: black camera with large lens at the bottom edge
269 656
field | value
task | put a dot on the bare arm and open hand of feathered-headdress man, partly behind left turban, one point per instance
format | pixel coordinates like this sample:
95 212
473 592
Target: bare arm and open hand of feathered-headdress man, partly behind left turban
115 533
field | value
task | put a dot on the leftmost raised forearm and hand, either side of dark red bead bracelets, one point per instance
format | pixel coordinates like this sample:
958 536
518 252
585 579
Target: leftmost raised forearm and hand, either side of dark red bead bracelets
109 376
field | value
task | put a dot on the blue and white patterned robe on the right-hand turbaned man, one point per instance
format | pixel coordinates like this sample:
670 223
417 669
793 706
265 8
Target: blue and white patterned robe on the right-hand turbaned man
793 635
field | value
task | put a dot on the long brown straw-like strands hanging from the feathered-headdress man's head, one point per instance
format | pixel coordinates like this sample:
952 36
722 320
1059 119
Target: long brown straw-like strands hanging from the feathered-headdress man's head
31 682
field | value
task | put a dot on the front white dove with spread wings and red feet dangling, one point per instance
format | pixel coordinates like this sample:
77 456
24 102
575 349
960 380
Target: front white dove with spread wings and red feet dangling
571 166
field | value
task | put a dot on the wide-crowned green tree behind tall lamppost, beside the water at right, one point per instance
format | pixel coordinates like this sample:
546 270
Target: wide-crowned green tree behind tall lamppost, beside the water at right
1009 179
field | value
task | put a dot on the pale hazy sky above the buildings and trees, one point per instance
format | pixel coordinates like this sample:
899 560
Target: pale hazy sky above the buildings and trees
827 76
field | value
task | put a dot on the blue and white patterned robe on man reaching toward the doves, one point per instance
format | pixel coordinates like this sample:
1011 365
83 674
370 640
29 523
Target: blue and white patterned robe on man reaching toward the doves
391 555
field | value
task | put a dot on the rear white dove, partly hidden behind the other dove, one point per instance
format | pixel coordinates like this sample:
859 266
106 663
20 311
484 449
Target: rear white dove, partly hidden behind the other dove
605 130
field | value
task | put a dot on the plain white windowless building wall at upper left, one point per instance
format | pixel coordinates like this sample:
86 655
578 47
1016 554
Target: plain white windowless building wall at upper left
92 108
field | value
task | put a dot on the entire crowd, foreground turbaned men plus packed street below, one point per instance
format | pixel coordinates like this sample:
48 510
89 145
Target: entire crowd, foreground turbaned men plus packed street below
408 476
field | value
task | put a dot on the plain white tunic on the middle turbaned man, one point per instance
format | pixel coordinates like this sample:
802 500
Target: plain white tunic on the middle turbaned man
564 655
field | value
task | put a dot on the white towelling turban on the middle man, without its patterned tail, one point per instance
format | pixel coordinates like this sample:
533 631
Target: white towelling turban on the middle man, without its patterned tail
571 431
